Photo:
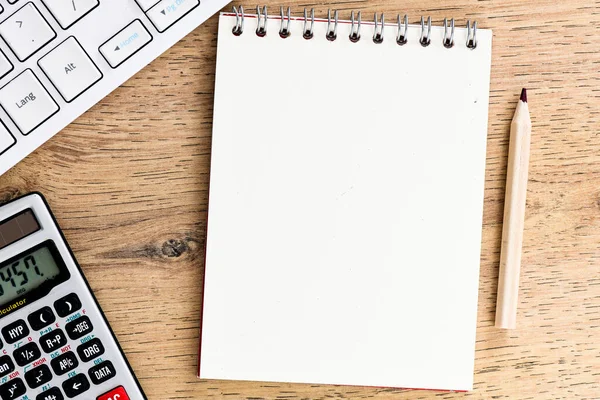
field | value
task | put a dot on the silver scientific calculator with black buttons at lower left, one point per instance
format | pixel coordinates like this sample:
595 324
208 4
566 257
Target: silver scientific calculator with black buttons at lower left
55 341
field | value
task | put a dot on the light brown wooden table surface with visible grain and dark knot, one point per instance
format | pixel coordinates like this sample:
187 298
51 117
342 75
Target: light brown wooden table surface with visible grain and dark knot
128 182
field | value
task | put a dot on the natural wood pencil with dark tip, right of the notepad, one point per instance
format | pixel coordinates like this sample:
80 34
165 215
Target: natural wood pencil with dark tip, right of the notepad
514 216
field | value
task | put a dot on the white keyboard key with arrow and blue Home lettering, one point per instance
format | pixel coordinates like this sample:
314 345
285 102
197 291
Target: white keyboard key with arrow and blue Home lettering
125 43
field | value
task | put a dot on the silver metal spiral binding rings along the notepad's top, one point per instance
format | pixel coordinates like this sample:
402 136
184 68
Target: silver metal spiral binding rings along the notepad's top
355 34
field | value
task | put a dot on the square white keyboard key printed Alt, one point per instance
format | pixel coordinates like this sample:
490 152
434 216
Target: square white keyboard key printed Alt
70 69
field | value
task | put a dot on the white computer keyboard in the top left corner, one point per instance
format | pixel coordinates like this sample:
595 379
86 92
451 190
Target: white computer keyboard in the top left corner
60 57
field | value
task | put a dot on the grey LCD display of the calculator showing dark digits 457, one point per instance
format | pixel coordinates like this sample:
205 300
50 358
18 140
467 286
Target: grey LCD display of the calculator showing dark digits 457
28 272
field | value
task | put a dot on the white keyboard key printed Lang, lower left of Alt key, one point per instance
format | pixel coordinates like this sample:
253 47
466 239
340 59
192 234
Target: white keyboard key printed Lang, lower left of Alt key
27 102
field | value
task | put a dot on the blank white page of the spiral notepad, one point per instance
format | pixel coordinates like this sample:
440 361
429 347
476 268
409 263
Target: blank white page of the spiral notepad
345 212
